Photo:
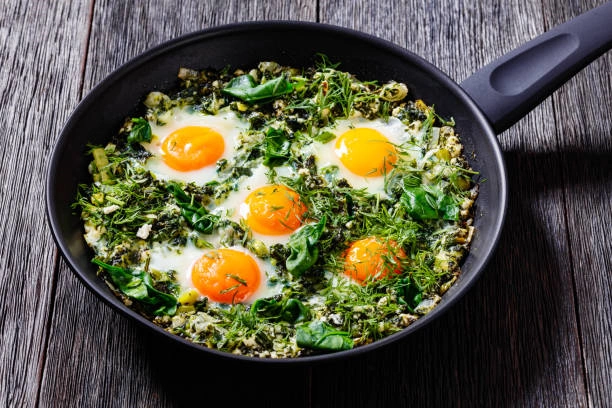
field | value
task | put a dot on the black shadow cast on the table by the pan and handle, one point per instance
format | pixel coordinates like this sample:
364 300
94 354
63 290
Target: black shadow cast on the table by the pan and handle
512 340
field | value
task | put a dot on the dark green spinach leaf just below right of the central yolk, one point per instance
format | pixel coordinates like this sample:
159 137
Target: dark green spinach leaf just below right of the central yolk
303 247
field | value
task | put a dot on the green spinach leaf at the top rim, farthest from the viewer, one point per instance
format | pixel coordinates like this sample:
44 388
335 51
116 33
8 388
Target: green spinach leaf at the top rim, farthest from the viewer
246 89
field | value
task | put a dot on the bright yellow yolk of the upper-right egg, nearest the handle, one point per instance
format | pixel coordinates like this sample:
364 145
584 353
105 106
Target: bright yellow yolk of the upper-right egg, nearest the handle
366 152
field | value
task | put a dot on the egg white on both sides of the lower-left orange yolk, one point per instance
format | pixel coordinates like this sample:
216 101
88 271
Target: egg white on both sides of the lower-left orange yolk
181 260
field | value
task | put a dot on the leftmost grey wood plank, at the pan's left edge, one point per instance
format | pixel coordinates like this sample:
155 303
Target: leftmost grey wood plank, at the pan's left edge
40 60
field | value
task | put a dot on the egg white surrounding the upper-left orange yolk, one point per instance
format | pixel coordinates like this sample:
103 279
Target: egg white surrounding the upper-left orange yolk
226 123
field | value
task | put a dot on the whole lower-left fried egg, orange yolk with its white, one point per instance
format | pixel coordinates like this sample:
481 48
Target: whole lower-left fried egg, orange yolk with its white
223 275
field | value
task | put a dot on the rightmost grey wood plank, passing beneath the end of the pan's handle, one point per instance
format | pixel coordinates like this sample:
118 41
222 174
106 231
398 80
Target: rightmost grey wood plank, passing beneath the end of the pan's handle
585 154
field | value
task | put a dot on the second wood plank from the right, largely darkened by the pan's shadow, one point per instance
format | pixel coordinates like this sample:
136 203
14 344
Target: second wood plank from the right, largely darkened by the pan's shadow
493 349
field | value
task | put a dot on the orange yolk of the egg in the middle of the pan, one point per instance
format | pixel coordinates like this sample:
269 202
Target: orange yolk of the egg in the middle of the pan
273 210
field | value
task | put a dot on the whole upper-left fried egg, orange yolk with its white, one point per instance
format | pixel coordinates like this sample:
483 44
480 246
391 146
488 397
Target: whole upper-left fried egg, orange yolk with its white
189 144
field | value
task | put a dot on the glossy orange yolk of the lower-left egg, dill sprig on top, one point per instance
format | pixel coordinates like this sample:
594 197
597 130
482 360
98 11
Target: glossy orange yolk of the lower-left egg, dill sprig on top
226 275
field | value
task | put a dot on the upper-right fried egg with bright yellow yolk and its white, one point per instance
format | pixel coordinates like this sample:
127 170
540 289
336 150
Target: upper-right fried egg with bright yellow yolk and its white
363 151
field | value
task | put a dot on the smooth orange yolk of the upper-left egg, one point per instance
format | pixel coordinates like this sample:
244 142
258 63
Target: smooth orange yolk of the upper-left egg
192 147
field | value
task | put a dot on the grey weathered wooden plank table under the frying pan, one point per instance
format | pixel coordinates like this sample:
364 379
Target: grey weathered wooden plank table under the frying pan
534 331
